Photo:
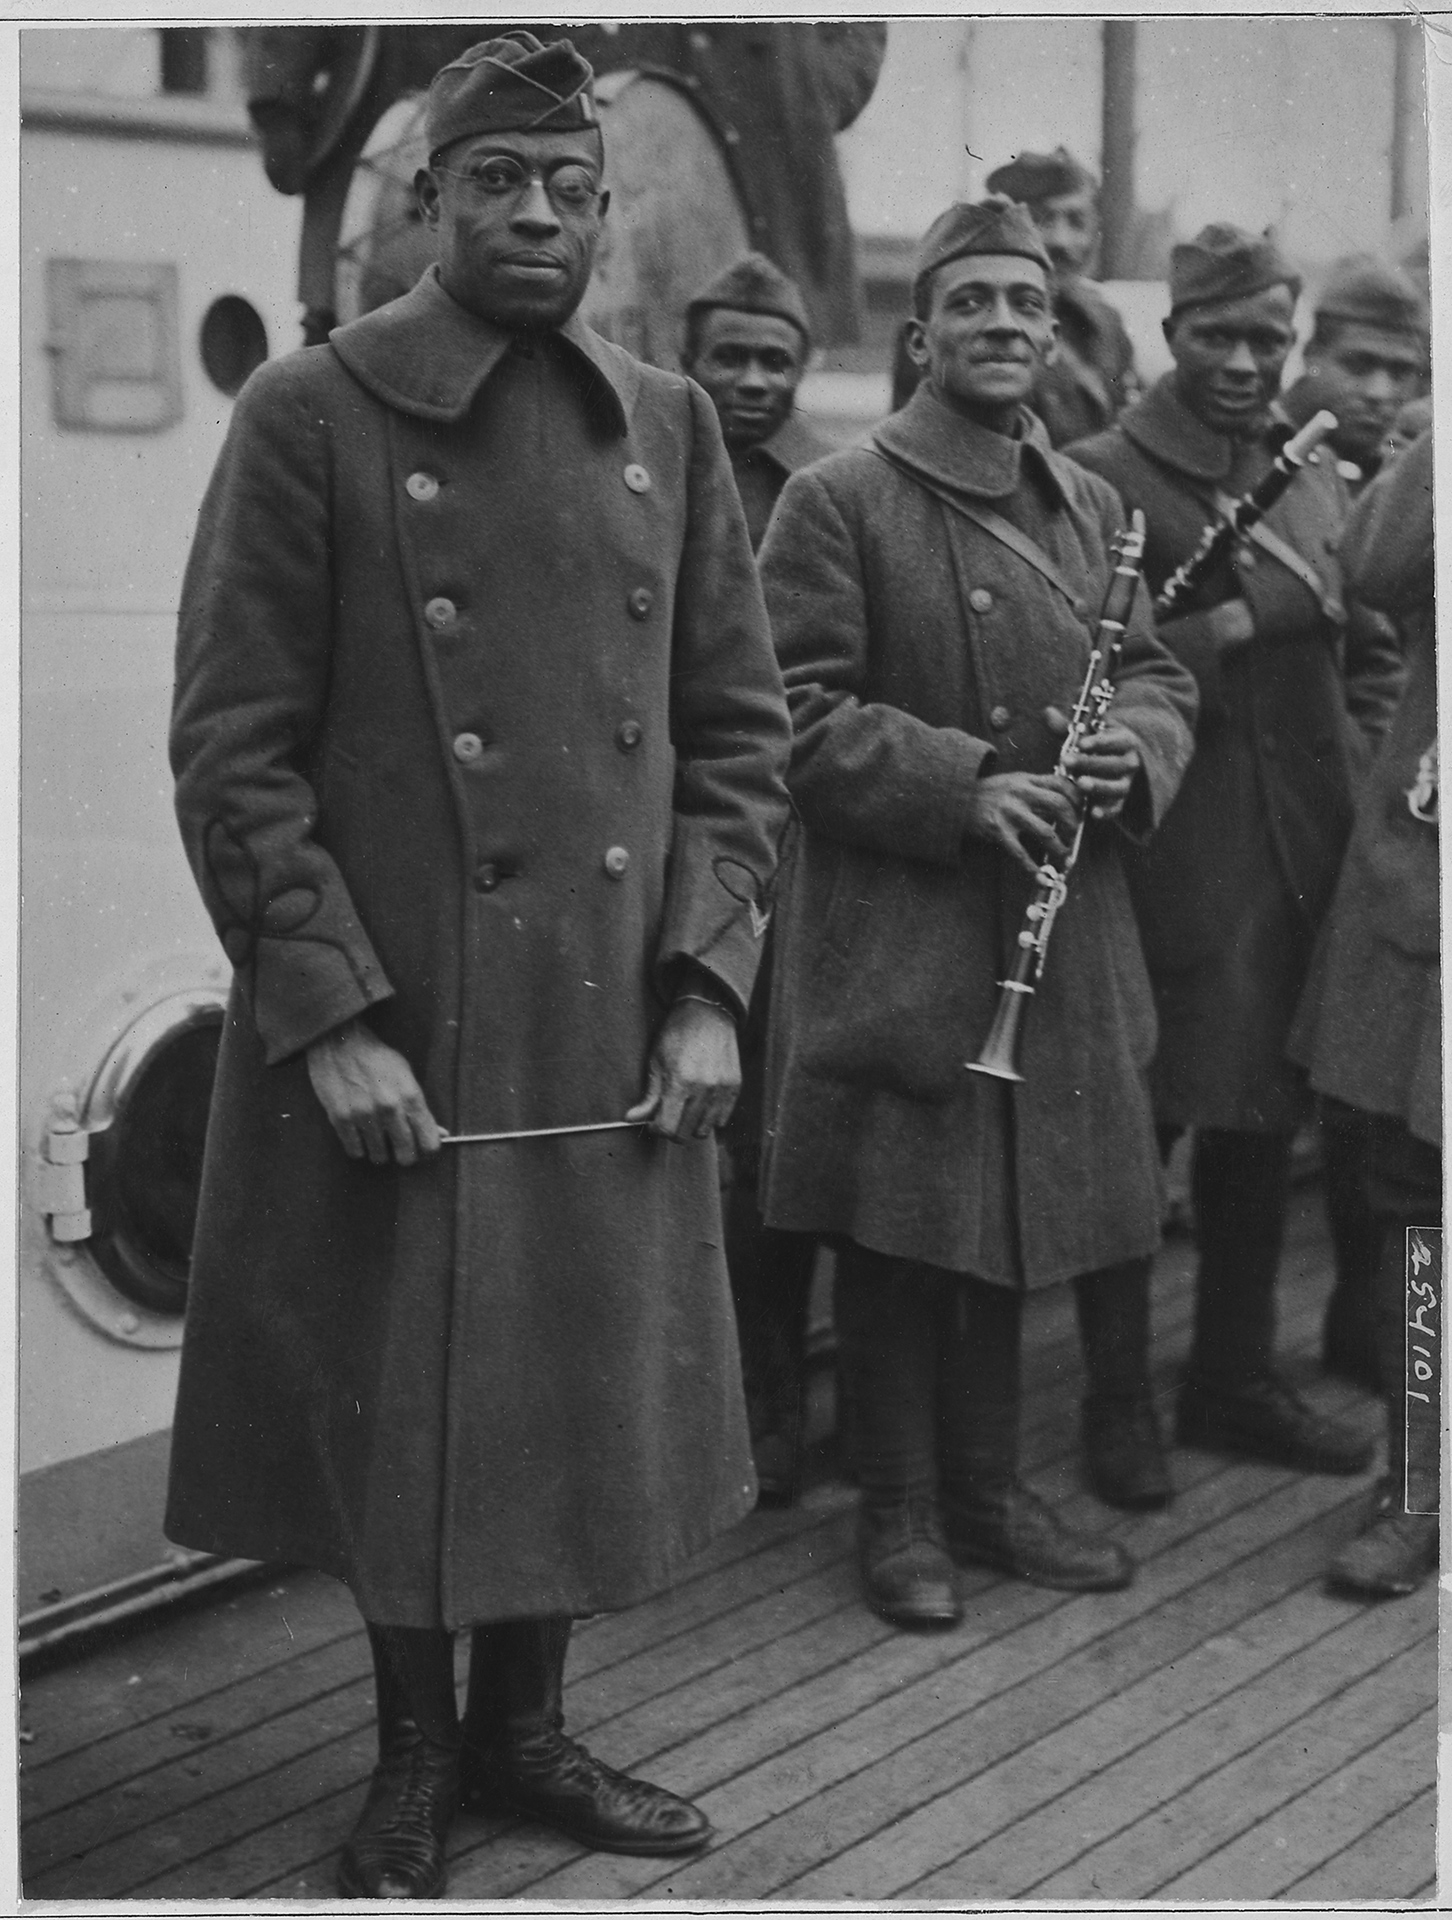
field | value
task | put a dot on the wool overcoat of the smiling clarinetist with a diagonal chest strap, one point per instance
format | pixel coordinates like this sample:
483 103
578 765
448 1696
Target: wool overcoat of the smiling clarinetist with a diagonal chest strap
919 652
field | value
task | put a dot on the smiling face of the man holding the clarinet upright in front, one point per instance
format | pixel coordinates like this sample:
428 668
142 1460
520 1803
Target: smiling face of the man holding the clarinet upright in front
988 331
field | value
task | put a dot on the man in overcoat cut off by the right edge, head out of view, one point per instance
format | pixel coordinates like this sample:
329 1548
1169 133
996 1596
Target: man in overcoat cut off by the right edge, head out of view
1370 1028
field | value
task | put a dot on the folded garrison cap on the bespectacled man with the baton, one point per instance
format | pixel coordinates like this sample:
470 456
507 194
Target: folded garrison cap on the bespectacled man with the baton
510 85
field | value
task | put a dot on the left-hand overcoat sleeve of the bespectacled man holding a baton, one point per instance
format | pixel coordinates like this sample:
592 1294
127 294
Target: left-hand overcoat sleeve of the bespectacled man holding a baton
253 679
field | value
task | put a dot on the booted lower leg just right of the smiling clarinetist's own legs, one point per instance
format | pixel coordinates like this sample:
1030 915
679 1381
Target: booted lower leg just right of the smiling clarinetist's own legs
1123 1447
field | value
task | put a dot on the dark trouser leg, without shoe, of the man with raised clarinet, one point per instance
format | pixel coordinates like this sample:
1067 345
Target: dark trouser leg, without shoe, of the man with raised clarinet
1240 1186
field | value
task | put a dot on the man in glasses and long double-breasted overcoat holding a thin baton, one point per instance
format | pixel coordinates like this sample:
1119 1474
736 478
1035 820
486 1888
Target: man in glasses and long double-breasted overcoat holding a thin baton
479 744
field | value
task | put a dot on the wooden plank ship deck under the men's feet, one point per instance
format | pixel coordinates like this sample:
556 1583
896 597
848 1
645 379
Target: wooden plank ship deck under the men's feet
1222 1731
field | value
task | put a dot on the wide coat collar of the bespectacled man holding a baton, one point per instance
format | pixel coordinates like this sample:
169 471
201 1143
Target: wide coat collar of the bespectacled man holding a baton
425 354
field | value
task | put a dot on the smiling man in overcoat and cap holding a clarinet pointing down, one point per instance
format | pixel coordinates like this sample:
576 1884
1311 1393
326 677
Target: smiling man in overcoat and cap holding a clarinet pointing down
932 600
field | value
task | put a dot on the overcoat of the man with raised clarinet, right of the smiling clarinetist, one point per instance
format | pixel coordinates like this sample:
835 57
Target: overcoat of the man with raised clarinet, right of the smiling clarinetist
1232 892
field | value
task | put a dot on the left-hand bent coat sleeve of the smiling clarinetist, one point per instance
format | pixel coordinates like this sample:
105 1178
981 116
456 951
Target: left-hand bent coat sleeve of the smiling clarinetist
861 771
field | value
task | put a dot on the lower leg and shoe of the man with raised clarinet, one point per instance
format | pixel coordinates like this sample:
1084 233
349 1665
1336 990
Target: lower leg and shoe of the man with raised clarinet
1234 1401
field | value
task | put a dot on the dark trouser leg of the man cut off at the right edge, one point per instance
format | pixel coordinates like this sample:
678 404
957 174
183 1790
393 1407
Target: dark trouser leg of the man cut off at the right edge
1403 1189
